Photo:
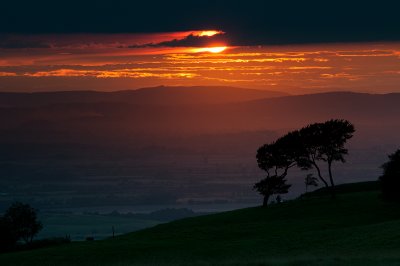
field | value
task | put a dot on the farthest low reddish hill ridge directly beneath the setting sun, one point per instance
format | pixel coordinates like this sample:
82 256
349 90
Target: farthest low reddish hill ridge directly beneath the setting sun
146 96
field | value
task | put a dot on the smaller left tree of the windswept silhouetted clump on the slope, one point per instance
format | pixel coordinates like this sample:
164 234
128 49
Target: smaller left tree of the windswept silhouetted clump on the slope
275 159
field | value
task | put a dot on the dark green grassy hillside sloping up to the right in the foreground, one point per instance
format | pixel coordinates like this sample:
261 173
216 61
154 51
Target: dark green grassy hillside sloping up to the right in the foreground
357 229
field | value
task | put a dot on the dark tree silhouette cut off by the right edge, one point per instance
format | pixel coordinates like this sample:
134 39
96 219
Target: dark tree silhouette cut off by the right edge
390 180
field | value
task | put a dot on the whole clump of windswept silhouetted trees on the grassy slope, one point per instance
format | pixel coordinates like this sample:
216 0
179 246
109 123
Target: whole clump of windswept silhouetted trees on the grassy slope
307 148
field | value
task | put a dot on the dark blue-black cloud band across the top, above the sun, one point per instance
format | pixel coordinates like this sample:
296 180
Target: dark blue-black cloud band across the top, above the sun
252 22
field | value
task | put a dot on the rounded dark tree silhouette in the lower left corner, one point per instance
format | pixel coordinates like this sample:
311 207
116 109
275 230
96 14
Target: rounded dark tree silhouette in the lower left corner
23 220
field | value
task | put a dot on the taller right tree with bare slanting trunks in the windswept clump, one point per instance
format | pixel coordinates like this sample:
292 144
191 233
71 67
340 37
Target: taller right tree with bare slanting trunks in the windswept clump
324 142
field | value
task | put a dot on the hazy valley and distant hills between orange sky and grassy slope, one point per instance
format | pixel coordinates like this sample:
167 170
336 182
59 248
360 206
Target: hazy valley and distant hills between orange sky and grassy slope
171 146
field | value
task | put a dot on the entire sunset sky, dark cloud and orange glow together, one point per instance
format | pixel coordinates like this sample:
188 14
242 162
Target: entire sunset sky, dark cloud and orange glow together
265 51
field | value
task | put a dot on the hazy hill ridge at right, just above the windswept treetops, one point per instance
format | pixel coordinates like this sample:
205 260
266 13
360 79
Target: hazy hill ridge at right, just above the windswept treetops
360 108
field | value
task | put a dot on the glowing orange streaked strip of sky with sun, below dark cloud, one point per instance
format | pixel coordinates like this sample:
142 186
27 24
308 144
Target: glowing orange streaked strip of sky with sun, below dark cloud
128 61
